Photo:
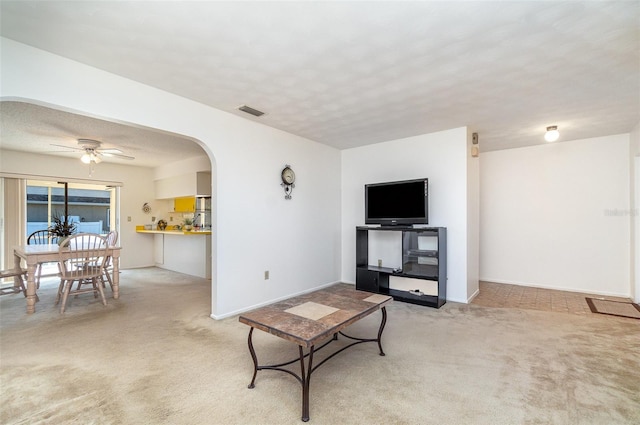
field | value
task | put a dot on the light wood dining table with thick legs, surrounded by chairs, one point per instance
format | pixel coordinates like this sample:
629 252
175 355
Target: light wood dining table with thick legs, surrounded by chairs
47 253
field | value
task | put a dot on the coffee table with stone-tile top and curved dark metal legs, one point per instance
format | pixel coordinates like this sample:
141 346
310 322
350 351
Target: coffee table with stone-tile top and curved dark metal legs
311 319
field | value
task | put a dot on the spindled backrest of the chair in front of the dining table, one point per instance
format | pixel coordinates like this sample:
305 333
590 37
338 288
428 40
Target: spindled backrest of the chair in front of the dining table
82 256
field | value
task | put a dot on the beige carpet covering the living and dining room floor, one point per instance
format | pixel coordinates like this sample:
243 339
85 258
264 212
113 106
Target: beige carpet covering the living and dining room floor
155 357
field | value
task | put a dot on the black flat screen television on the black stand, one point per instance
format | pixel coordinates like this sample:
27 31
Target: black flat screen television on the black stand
397 203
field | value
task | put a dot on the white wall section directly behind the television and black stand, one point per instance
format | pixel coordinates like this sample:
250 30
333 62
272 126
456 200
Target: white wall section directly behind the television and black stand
441 157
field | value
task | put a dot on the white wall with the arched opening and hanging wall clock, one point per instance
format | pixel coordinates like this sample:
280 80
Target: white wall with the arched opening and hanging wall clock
255 228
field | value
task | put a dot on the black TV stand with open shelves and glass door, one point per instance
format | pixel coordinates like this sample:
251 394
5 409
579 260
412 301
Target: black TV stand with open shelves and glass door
422 278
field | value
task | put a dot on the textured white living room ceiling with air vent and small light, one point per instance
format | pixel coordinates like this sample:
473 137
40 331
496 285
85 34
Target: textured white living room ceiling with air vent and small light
354 73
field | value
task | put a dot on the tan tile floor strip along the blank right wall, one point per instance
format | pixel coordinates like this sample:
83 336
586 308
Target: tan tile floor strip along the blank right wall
525 297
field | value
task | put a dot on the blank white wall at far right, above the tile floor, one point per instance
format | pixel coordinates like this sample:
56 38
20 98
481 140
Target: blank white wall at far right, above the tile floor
556 216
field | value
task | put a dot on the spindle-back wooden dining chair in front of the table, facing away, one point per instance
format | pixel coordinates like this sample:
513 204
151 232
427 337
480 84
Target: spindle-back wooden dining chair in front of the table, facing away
81 259
